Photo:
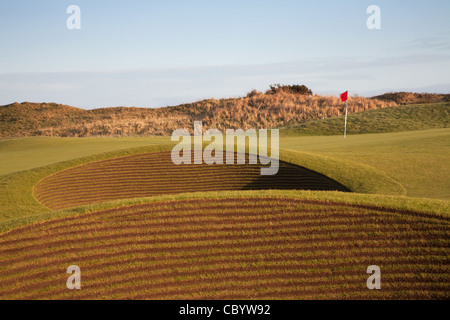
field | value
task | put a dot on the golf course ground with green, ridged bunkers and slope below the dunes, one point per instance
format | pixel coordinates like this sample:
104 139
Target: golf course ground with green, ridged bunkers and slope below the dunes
141 227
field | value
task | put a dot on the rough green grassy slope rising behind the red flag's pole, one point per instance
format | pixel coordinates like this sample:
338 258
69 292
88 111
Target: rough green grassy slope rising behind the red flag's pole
394 119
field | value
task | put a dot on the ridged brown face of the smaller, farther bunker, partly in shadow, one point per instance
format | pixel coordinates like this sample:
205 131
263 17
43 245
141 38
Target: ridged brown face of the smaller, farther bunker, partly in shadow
154 173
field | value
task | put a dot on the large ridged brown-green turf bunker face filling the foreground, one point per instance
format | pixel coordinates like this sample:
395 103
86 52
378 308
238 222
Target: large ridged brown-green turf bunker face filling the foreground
255 248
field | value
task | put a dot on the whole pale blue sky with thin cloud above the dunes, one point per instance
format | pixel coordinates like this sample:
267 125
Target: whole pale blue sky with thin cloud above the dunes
158 53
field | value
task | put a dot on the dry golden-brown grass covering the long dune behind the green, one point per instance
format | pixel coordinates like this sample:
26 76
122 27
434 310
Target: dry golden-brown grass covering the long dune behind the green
255 111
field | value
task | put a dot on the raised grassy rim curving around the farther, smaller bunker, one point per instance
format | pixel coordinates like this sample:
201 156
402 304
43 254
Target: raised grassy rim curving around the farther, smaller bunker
19 201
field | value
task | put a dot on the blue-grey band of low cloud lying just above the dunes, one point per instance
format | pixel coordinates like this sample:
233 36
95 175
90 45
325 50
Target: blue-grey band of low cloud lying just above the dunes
161 87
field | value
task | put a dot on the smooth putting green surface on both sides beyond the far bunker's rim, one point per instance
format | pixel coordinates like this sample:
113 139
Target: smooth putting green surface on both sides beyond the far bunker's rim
417 160
